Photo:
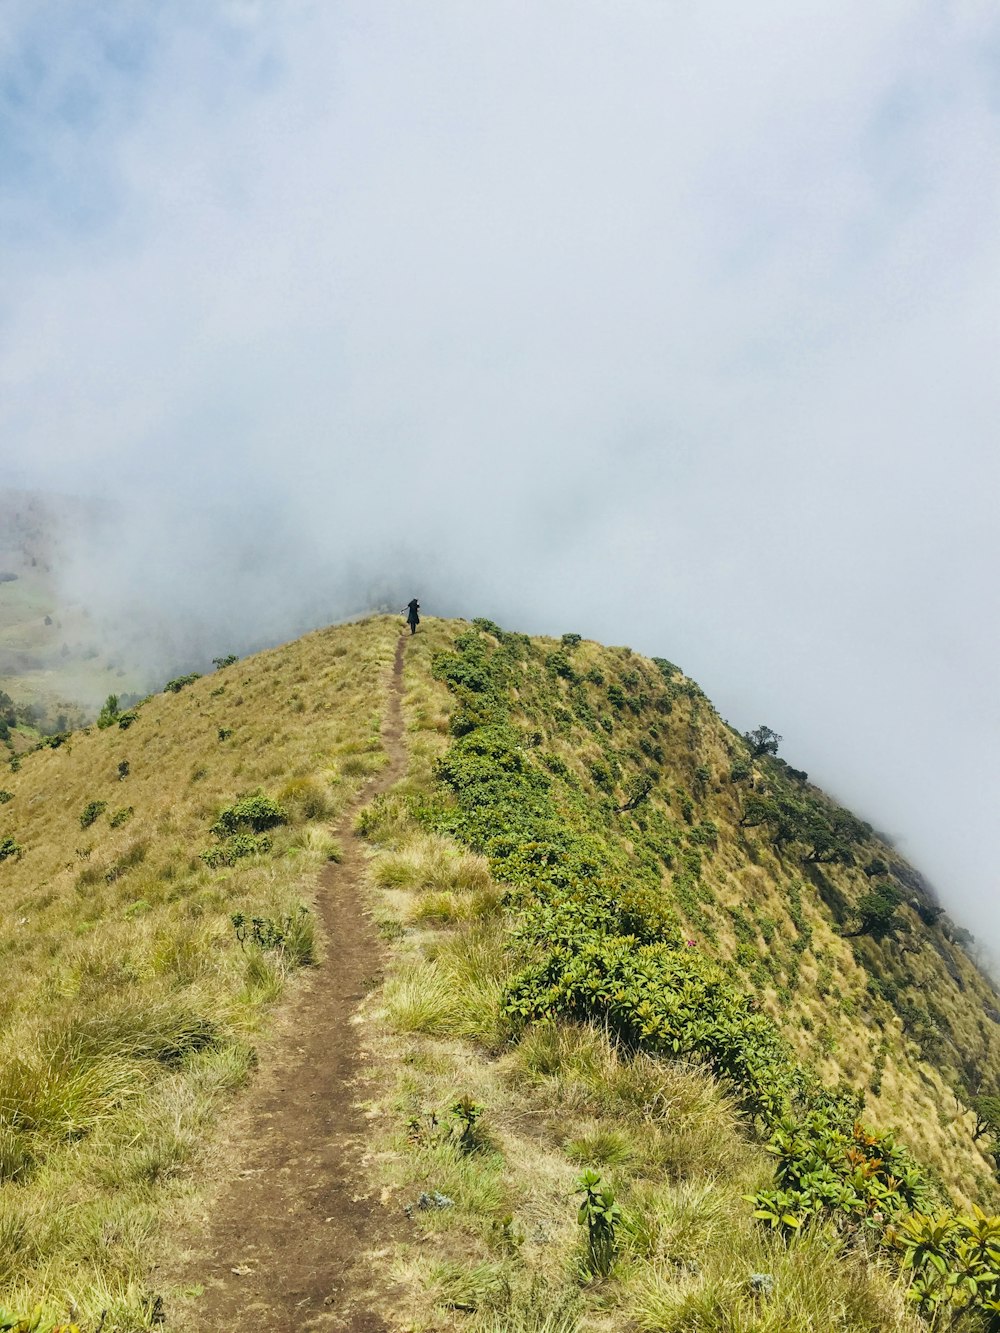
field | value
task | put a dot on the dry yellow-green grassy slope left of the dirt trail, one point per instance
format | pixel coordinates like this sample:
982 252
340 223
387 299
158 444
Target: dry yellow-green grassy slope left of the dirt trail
133 1008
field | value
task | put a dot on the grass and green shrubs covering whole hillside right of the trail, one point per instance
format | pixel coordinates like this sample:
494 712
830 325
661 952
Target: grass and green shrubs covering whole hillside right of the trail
631 899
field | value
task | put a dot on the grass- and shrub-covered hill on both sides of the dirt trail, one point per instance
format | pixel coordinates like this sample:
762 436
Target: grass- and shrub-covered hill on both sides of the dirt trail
625 940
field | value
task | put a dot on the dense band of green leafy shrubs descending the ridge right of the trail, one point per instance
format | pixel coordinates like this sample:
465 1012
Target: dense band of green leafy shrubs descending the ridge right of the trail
595 940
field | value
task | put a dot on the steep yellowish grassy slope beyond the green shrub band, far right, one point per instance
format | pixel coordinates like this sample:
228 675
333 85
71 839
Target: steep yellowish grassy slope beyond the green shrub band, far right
819 995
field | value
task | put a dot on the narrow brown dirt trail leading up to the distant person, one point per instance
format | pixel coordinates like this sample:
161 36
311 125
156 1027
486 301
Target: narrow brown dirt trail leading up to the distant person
297 1214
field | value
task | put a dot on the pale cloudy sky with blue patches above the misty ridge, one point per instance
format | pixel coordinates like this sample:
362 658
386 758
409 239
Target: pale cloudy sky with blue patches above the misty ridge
671 325
